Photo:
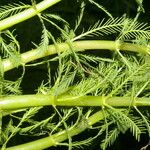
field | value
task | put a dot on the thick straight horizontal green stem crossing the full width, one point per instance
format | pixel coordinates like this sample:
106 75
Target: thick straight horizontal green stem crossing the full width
24 101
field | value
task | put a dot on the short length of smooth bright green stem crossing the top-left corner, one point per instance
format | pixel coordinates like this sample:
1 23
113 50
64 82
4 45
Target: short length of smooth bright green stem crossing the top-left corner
26 14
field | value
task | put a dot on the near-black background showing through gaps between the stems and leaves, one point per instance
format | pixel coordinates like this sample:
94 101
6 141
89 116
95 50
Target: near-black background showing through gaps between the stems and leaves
29 32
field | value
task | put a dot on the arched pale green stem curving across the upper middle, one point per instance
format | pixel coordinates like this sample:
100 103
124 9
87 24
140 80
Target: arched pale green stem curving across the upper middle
79 46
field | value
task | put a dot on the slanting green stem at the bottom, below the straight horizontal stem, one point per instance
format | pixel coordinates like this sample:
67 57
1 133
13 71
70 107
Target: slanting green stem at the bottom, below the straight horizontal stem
55 139
